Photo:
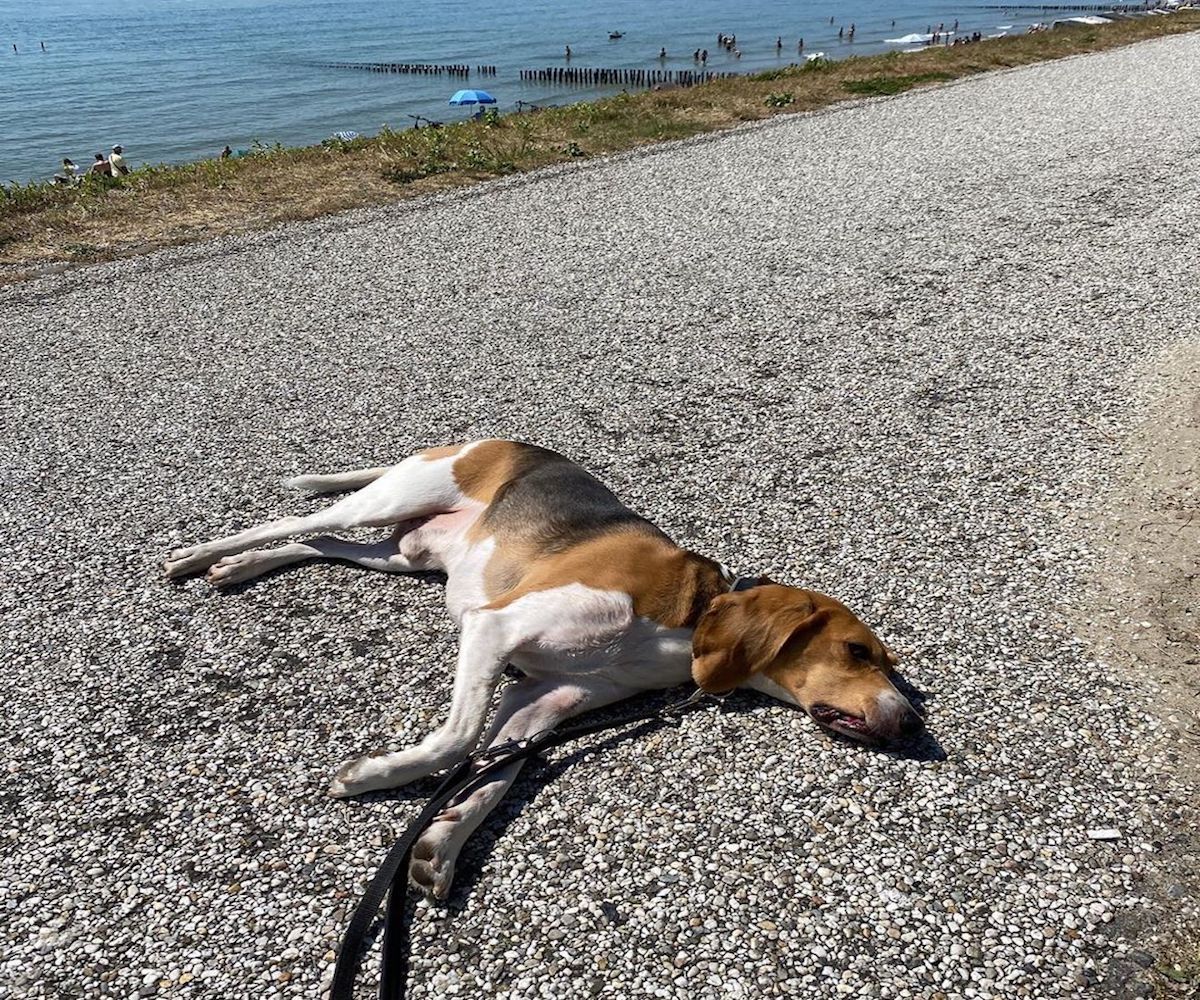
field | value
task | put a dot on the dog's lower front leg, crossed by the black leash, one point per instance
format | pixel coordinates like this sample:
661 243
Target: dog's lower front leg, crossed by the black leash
527 709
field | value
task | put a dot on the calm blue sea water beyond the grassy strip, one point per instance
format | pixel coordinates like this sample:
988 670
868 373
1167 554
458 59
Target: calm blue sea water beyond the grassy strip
178 80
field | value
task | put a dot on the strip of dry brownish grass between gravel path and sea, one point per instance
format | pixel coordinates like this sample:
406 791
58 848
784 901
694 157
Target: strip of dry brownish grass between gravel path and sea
159 207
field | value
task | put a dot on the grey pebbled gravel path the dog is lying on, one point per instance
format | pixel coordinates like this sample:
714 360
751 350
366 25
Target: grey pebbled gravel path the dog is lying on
883 351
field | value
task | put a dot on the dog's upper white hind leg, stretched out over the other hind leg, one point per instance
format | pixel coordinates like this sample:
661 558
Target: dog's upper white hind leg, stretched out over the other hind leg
417 488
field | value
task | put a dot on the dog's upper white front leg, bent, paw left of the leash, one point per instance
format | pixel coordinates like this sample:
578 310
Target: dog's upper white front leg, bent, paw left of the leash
489 638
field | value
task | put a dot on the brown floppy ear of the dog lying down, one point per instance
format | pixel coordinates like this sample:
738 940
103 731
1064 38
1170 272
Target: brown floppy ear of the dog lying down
742 633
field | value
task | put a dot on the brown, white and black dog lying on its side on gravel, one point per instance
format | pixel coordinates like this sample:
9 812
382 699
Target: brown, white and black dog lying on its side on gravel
549 572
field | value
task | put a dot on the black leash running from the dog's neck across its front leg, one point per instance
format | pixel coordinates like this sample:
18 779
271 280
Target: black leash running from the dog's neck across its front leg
473 773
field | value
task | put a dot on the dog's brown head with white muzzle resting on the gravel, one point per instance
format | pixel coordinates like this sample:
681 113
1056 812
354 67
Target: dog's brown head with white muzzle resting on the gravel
807 649
